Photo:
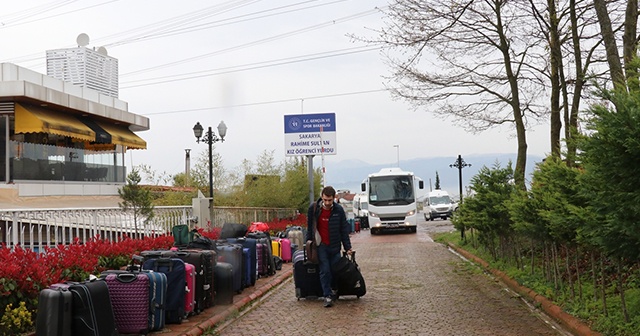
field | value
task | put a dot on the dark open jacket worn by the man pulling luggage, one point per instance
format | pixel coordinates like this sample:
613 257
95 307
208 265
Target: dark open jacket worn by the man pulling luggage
339 229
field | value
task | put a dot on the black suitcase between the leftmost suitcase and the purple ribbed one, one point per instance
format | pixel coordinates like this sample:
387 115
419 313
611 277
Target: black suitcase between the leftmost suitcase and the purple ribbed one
92 312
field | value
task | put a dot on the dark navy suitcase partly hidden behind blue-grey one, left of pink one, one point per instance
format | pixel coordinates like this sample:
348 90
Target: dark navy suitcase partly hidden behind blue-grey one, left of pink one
175 271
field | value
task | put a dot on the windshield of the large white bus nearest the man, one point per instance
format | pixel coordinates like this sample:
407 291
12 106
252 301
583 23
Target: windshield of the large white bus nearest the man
391 190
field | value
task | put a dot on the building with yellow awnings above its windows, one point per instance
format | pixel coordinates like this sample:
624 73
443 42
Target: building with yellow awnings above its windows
60 139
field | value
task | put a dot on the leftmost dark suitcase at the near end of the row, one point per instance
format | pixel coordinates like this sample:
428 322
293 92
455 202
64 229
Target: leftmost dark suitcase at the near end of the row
54 312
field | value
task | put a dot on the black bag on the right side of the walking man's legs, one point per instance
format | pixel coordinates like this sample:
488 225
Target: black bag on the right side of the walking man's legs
347 276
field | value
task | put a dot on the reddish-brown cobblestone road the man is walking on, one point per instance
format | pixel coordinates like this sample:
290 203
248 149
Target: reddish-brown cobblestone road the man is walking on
414 287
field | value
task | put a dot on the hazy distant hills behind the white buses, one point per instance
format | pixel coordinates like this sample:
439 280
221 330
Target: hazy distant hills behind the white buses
348 174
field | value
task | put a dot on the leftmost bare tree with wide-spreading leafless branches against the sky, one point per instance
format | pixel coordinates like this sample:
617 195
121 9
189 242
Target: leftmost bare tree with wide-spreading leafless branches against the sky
469 60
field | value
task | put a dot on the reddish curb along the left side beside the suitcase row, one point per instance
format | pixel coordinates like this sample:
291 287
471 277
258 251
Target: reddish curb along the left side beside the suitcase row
237 306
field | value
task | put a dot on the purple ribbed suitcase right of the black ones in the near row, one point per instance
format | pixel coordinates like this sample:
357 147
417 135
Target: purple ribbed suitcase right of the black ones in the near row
130 300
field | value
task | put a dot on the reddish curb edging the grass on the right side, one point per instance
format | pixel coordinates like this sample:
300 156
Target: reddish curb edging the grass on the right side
572 323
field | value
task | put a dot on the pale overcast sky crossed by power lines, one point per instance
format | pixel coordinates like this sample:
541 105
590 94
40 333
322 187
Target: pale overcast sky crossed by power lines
248 63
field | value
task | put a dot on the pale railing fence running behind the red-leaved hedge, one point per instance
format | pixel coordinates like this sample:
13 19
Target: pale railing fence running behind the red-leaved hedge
37 228
